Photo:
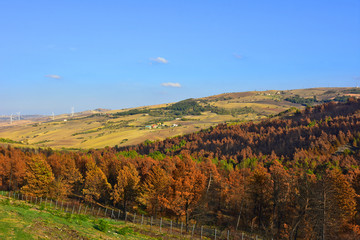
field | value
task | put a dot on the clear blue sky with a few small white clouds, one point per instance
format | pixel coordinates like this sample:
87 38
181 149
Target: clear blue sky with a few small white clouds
119 54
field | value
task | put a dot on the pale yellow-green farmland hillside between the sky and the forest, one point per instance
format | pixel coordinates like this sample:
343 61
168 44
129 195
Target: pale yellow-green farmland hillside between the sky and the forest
100 128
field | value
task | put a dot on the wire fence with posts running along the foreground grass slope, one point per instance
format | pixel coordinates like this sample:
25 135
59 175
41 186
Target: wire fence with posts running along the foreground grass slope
163 225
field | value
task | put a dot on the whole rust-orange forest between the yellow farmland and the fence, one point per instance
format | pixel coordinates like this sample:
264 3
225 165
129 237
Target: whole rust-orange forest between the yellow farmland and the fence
294 176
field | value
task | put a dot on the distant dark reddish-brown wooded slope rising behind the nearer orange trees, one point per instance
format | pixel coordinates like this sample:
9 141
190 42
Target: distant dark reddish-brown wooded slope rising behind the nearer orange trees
318 131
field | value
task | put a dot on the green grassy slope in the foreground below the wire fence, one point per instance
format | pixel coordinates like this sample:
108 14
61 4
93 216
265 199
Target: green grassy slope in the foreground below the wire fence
19 220
